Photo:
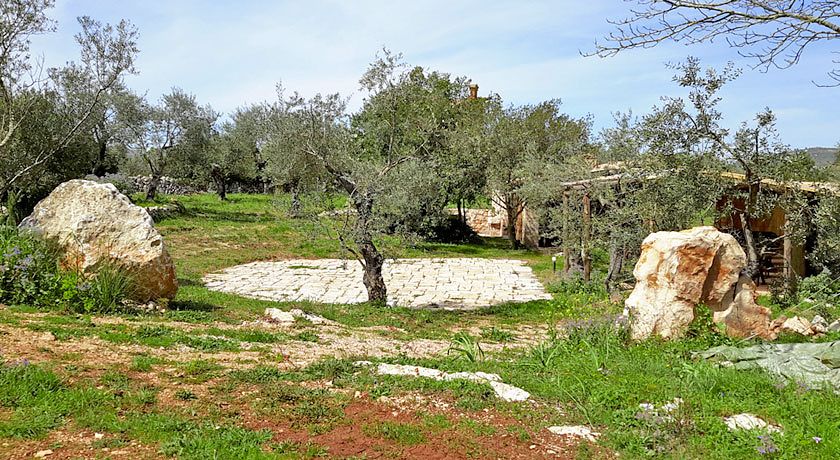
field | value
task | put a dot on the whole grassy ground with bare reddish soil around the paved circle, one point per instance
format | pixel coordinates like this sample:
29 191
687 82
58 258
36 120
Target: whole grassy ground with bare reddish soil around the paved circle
204 380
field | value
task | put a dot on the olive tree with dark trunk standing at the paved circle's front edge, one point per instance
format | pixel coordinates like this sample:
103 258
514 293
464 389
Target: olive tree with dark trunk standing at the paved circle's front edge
402 121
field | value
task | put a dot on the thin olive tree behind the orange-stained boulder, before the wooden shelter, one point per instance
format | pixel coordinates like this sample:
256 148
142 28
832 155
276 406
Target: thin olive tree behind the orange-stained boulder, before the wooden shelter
692 130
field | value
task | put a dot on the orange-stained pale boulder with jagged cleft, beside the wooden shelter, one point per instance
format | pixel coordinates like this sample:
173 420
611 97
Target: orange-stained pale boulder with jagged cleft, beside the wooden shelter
679 270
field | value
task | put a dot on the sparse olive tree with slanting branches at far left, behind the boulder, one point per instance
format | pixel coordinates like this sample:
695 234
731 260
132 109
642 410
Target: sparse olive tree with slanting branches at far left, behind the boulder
107 53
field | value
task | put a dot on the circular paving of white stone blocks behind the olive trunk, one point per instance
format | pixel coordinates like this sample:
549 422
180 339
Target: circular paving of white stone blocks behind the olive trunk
456 283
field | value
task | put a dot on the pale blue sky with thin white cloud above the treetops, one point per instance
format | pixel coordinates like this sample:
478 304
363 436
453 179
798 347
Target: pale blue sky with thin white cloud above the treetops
233 53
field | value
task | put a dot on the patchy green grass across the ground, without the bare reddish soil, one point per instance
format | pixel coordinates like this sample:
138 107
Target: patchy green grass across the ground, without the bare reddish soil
591 376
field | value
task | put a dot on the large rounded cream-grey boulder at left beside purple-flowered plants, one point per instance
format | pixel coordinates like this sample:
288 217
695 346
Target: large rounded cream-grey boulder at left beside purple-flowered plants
94 224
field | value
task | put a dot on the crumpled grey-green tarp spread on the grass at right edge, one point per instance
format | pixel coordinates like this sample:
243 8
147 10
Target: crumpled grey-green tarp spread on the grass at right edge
814 364
